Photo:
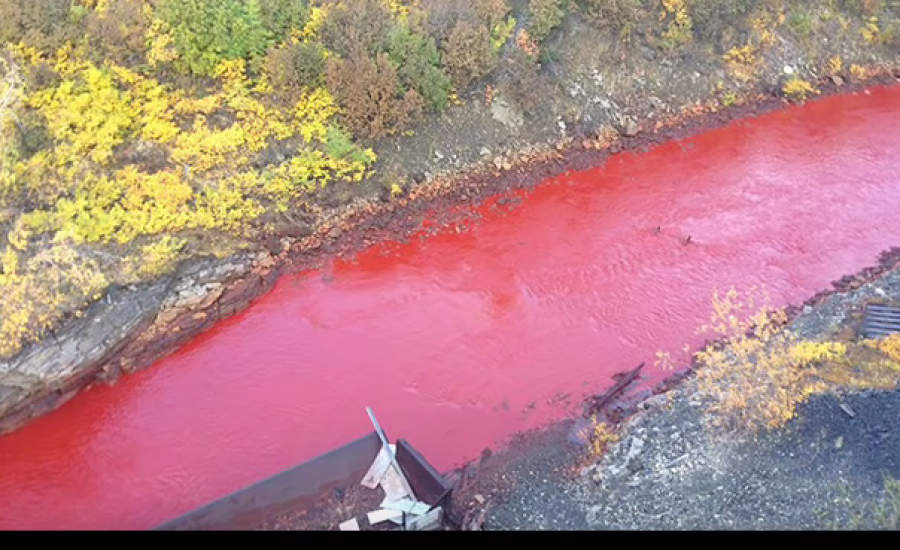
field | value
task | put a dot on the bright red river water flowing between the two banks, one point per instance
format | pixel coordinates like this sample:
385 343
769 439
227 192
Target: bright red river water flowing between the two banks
451 338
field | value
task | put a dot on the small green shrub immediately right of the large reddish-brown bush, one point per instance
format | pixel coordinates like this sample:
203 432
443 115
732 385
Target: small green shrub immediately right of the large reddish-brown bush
418 64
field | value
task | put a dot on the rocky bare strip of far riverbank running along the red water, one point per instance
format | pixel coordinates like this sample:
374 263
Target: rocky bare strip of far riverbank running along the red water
618 98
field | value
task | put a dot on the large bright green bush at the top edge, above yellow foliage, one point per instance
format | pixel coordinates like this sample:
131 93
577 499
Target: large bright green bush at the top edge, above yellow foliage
207 32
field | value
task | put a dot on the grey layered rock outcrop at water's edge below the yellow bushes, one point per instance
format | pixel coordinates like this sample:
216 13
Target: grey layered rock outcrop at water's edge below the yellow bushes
126 331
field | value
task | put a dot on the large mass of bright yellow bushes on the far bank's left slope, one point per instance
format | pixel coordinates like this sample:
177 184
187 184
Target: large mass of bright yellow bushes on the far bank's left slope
84 193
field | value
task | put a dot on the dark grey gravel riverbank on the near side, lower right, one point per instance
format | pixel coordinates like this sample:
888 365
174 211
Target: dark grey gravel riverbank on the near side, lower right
829 468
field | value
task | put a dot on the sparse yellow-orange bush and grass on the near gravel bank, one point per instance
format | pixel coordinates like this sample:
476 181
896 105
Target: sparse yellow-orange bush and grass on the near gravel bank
761 371
